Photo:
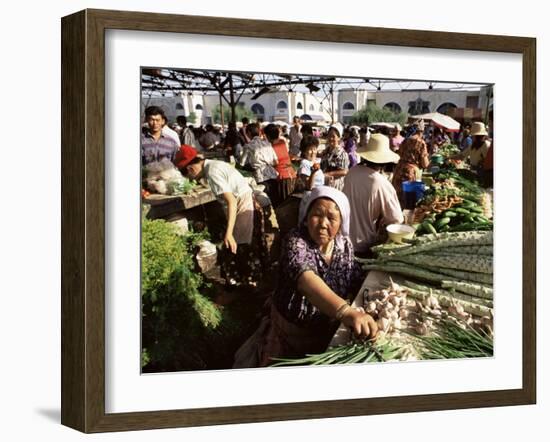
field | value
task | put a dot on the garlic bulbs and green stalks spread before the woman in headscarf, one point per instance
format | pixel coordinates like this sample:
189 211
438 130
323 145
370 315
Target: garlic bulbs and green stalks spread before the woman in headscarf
413 324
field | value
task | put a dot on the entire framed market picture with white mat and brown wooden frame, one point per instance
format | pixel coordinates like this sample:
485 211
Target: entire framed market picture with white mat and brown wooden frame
251 249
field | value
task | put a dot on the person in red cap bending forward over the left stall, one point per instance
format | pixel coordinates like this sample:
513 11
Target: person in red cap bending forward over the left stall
245 252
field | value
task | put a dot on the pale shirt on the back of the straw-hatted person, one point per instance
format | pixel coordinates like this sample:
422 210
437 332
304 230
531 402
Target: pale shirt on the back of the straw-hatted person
374 204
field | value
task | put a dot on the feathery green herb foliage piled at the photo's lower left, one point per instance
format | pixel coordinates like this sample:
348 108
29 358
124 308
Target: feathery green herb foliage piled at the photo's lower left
176 316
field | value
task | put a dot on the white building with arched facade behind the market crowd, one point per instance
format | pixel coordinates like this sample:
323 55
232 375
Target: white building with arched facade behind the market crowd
284 105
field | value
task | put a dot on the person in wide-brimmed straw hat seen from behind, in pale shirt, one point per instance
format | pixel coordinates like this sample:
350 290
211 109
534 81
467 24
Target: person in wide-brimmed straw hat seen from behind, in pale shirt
373 200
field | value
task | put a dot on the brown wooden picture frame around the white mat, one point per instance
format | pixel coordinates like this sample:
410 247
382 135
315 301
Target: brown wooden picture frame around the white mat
83 220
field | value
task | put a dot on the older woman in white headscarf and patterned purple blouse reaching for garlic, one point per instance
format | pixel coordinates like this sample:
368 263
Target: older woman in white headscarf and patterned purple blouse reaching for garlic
318 278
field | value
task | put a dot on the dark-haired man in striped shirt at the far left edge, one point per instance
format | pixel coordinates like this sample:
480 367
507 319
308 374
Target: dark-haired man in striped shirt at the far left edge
155 145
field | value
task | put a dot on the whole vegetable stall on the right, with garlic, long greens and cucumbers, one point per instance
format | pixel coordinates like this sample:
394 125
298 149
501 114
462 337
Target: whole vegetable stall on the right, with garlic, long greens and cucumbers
431 294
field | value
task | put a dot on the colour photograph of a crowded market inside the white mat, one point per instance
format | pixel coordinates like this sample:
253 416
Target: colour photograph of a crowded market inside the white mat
295 220
